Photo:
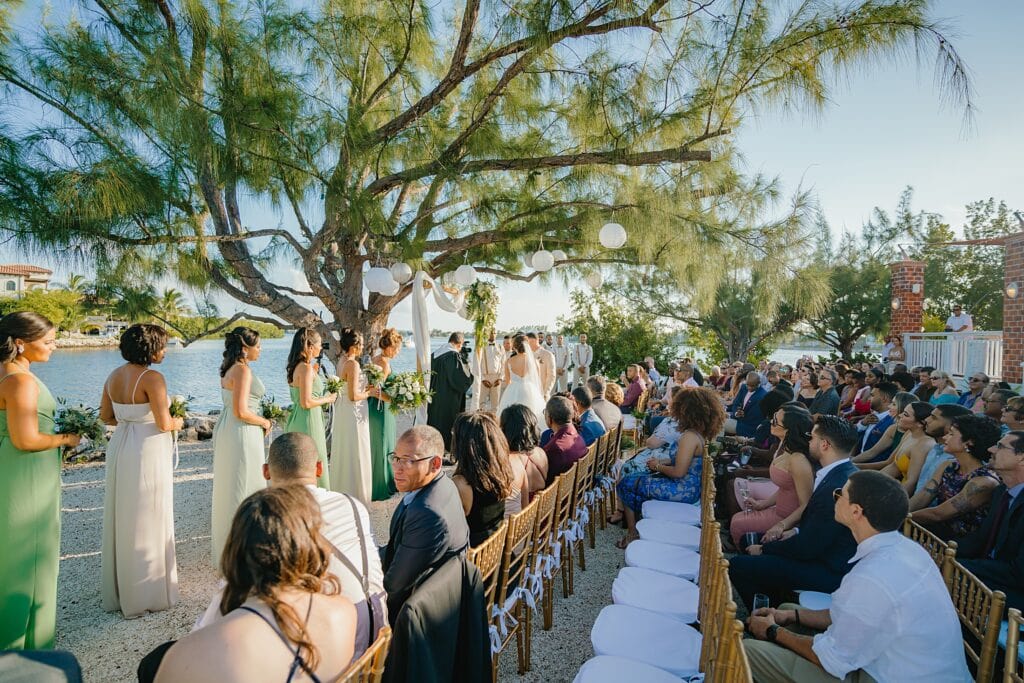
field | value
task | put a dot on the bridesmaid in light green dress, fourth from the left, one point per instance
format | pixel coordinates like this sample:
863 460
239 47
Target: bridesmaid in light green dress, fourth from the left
307 390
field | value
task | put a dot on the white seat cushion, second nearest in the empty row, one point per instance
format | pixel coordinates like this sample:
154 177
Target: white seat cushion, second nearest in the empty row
655 639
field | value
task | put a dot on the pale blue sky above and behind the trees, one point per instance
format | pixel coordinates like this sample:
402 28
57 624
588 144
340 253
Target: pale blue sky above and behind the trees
885 130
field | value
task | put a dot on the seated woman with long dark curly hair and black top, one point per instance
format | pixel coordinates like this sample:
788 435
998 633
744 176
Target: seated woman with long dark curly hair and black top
488 484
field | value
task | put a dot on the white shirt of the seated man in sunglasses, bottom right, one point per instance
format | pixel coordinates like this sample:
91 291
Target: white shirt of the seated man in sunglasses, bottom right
892 618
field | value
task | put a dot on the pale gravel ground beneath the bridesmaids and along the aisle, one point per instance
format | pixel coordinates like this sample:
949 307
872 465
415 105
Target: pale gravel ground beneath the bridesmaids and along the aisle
110 648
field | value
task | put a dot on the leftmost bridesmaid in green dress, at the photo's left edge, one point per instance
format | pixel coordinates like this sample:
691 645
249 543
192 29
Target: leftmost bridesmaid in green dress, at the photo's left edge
30 487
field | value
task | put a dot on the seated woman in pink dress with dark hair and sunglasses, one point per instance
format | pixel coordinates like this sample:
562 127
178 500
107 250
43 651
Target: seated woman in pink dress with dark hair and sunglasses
792 479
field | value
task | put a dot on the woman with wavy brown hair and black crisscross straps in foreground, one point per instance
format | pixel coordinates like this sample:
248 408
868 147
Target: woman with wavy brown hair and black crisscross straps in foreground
283 615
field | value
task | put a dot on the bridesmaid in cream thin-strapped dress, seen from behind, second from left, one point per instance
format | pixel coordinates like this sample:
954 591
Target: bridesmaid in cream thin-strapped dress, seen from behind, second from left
139 568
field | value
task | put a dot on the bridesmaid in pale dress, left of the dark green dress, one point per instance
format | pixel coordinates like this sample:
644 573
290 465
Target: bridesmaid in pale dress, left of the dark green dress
352 462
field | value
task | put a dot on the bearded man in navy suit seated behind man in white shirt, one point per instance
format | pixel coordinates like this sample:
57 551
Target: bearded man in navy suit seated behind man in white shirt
816 556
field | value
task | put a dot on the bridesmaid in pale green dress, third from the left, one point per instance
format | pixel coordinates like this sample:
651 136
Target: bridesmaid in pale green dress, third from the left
238 437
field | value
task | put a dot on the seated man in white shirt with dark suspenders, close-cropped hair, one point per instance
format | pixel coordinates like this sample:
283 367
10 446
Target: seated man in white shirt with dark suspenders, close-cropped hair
293 461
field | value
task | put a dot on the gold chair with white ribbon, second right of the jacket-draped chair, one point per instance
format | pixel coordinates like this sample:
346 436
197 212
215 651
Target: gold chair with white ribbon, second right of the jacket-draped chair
516 563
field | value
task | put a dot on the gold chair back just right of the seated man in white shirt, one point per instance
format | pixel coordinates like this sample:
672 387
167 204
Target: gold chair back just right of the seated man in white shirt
980 611
